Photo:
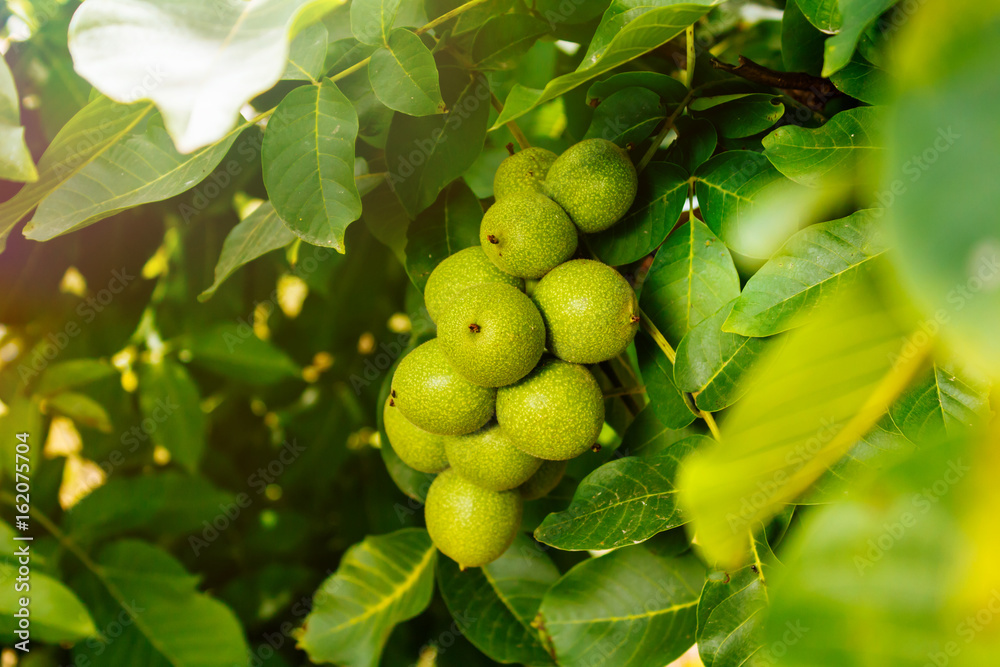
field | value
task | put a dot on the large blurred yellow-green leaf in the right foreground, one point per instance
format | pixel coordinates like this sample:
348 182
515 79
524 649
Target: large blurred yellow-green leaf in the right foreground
814 397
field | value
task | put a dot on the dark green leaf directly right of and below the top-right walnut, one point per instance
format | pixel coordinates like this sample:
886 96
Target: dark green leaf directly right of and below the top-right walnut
657 208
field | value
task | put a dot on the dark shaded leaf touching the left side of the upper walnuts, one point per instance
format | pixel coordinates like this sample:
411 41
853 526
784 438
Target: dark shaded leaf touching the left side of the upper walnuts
448 226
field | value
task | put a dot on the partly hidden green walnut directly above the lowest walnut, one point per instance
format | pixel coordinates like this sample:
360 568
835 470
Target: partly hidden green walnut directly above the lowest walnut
488 458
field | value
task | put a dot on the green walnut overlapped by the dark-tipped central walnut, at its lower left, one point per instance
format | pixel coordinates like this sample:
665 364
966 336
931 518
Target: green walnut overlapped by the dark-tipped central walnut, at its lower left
435 397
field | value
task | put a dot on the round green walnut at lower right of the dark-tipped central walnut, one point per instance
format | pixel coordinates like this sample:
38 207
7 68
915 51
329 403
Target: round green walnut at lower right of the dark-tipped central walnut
555 413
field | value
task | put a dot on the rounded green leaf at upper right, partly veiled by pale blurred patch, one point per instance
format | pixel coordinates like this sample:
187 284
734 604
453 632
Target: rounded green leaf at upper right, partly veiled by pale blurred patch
733 189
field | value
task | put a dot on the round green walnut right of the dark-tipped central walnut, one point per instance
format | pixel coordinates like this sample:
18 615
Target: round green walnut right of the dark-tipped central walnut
591 313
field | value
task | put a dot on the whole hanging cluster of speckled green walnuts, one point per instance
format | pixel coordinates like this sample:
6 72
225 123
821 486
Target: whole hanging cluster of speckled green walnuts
502 398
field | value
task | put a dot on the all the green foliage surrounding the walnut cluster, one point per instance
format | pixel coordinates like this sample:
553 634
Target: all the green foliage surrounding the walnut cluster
817 259
